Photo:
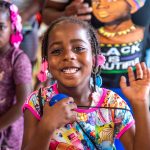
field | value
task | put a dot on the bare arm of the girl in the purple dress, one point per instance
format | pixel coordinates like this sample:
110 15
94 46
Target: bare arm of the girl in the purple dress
22 91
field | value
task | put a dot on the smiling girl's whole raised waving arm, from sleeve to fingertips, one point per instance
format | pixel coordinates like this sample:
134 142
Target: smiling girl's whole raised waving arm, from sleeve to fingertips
138 138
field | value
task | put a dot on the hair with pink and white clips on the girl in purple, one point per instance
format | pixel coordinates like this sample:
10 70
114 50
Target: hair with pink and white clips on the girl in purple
12 13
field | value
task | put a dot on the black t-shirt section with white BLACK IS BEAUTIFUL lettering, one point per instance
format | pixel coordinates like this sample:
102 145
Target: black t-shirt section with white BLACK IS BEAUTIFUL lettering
118 58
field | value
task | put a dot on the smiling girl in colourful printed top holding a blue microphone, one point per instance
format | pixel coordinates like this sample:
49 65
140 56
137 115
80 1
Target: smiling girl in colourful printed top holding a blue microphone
90 117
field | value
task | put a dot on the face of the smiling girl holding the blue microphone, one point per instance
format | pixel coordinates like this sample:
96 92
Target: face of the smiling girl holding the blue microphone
70 55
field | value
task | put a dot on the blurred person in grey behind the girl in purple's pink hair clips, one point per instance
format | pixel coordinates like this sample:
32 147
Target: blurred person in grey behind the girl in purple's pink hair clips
28 10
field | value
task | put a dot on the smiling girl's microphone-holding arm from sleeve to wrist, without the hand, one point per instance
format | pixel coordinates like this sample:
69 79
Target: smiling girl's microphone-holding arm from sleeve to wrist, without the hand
36 135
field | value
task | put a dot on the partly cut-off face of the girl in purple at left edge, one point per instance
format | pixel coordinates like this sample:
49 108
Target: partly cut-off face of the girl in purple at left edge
5 30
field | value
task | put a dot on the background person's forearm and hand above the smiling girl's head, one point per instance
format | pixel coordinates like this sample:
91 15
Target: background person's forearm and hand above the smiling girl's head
53 10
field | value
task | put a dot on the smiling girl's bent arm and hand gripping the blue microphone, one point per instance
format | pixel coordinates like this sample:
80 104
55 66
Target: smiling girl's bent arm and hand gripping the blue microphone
37 134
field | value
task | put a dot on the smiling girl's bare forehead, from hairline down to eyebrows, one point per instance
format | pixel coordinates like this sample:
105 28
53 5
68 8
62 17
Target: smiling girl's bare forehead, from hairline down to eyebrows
67 32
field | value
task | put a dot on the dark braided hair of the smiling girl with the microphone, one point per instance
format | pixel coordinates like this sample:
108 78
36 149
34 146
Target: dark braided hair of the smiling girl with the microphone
91 34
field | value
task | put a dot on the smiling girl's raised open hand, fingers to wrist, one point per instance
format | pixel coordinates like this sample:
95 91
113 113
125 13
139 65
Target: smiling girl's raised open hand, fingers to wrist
138 90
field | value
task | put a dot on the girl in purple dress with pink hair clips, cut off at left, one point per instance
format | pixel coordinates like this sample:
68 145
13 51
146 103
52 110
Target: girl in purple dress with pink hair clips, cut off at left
15 78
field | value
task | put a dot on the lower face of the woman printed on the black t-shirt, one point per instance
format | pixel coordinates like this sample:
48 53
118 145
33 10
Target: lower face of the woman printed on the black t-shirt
110 10
